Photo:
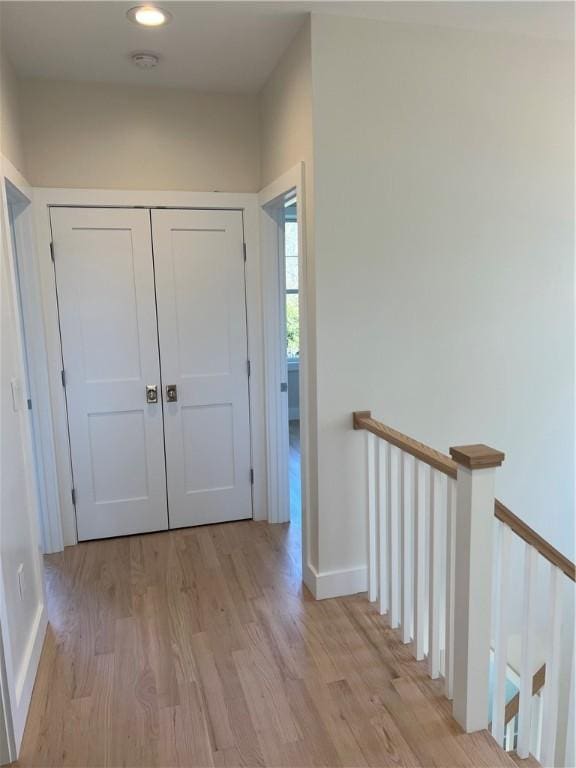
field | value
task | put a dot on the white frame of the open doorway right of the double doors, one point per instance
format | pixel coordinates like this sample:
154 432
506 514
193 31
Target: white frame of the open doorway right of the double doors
272 239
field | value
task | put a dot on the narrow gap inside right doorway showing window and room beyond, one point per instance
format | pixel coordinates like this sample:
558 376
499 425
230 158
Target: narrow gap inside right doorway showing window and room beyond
292 346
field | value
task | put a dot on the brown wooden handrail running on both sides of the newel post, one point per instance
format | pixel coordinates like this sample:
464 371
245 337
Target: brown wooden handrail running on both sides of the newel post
443 463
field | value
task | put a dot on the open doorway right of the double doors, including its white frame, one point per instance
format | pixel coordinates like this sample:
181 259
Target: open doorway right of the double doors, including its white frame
285 305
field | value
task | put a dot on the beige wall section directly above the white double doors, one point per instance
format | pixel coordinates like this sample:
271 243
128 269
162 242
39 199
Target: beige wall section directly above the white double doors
106 136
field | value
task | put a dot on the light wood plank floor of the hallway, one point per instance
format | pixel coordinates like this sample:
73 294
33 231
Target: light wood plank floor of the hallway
199 647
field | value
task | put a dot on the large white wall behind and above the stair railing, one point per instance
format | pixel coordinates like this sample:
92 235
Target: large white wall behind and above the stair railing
444 262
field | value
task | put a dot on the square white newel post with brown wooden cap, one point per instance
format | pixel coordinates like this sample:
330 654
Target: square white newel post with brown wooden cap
473 582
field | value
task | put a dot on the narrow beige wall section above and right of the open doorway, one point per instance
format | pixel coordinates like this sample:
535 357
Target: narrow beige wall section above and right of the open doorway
286 139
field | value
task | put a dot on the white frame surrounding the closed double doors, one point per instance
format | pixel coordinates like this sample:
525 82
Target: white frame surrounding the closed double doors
247 203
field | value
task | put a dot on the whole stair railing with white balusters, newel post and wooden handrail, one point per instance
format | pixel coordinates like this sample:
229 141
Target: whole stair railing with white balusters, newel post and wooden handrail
431 567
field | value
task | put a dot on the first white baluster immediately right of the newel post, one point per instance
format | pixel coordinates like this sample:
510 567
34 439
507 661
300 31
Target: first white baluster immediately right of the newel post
501 634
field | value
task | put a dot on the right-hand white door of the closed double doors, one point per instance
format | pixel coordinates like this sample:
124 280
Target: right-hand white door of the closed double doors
199 265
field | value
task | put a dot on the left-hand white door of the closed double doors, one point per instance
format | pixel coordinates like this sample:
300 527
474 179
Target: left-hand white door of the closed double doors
105 281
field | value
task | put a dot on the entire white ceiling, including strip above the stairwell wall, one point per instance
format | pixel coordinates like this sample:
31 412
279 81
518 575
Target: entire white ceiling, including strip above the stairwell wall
227 47
